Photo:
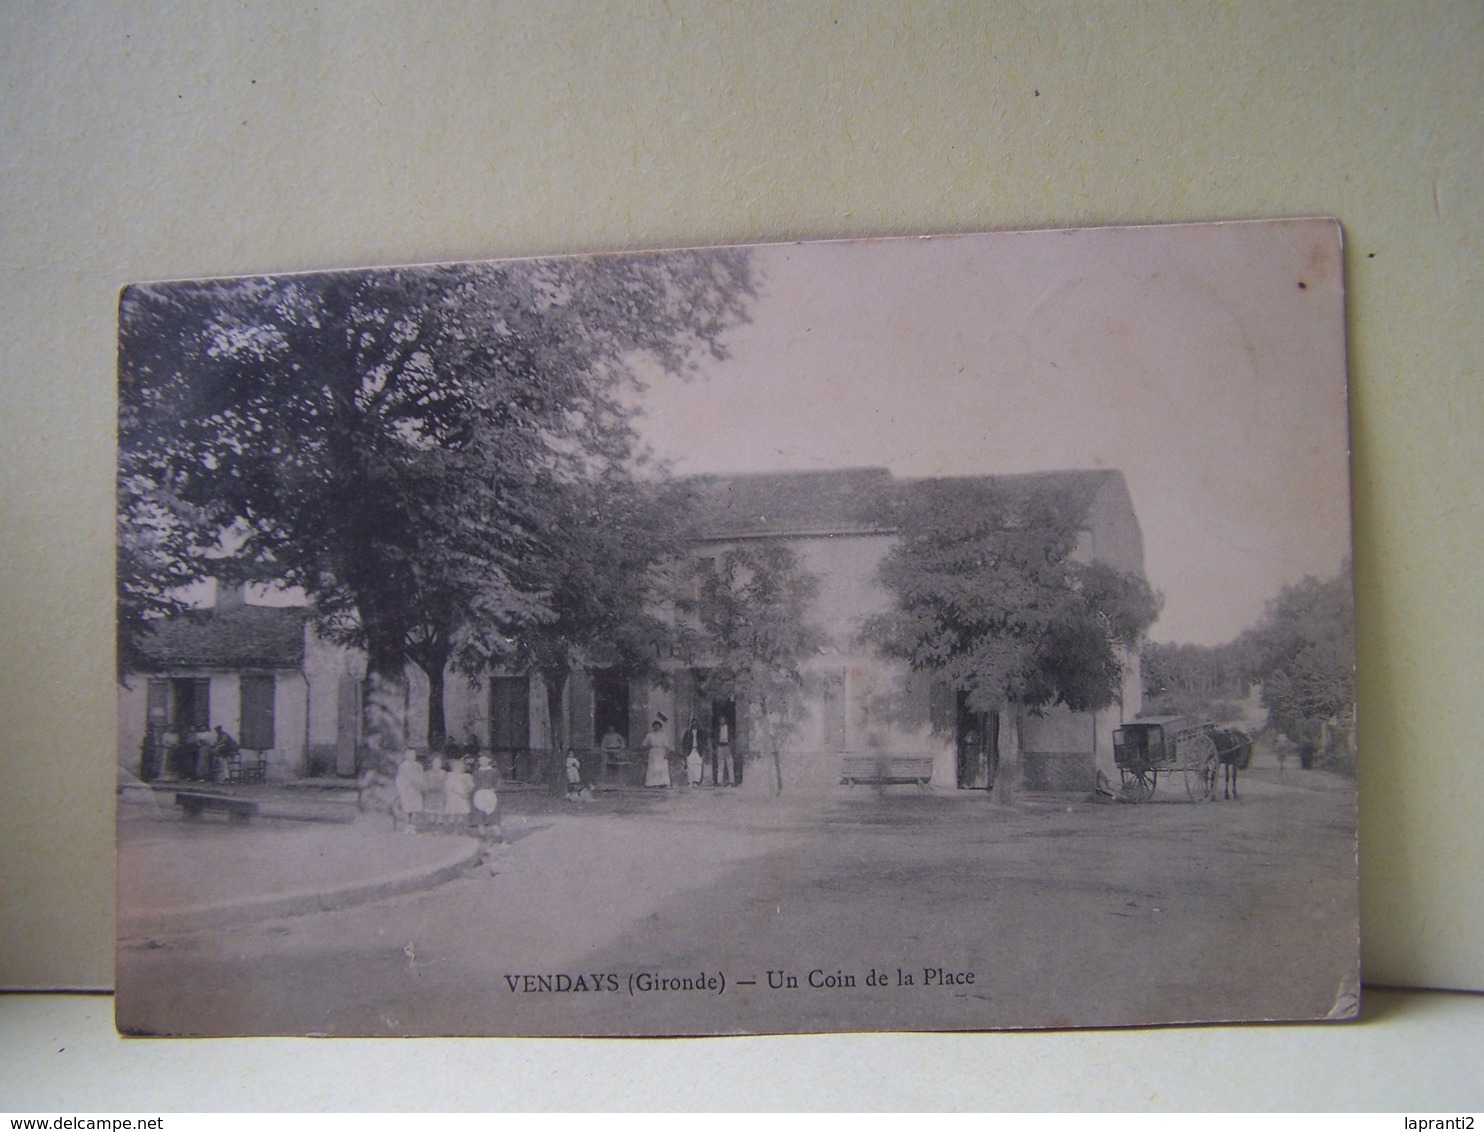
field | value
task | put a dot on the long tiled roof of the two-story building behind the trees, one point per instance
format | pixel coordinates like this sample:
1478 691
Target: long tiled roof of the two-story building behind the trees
853 501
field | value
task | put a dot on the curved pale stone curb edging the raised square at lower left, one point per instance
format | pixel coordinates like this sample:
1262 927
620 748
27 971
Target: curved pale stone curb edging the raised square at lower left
271 907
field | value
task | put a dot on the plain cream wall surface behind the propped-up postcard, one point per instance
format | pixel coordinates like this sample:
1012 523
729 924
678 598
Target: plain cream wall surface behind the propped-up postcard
180 140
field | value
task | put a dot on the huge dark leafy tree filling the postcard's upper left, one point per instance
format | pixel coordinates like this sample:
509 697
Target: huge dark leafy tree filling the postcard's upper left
400 444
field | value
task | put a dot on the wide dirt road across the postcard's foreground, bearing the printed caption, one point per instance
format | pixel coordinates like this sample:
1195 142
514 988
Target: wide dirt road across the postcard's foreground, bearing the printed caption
718 913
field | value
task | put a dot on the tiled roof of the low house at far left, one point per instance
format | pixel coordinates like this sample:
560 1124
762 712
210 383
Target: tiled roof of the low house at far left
246 637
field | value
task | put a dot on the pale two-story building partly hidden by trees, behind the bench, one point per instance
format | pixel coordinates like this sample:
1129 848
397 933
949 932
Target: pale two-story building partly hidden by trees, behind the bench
863 704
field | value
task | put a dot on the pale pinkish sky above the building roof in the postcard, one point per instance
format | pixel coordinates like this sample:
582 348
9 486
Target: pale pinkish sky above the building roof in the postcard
1206 363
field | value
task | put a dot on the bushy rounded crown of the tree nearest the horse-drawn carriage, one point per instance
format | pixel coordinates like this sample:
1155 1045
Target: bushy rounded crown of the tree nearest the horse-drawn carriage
991 599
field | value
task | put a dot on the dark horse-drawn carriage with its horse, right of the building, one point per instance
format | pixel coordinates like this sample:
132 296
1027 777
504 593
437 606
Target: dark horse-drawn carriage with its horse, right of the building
1143 750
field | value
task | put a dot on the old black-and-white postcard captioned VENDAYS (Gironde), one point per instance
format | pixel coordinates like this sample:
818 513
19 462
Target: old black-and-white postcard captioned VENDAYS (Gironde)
904 634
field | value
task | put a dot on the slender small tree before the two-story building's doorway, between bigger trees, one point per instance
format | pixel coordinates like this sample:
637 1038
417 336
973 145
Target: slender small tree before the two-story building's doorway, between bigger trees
753 609
